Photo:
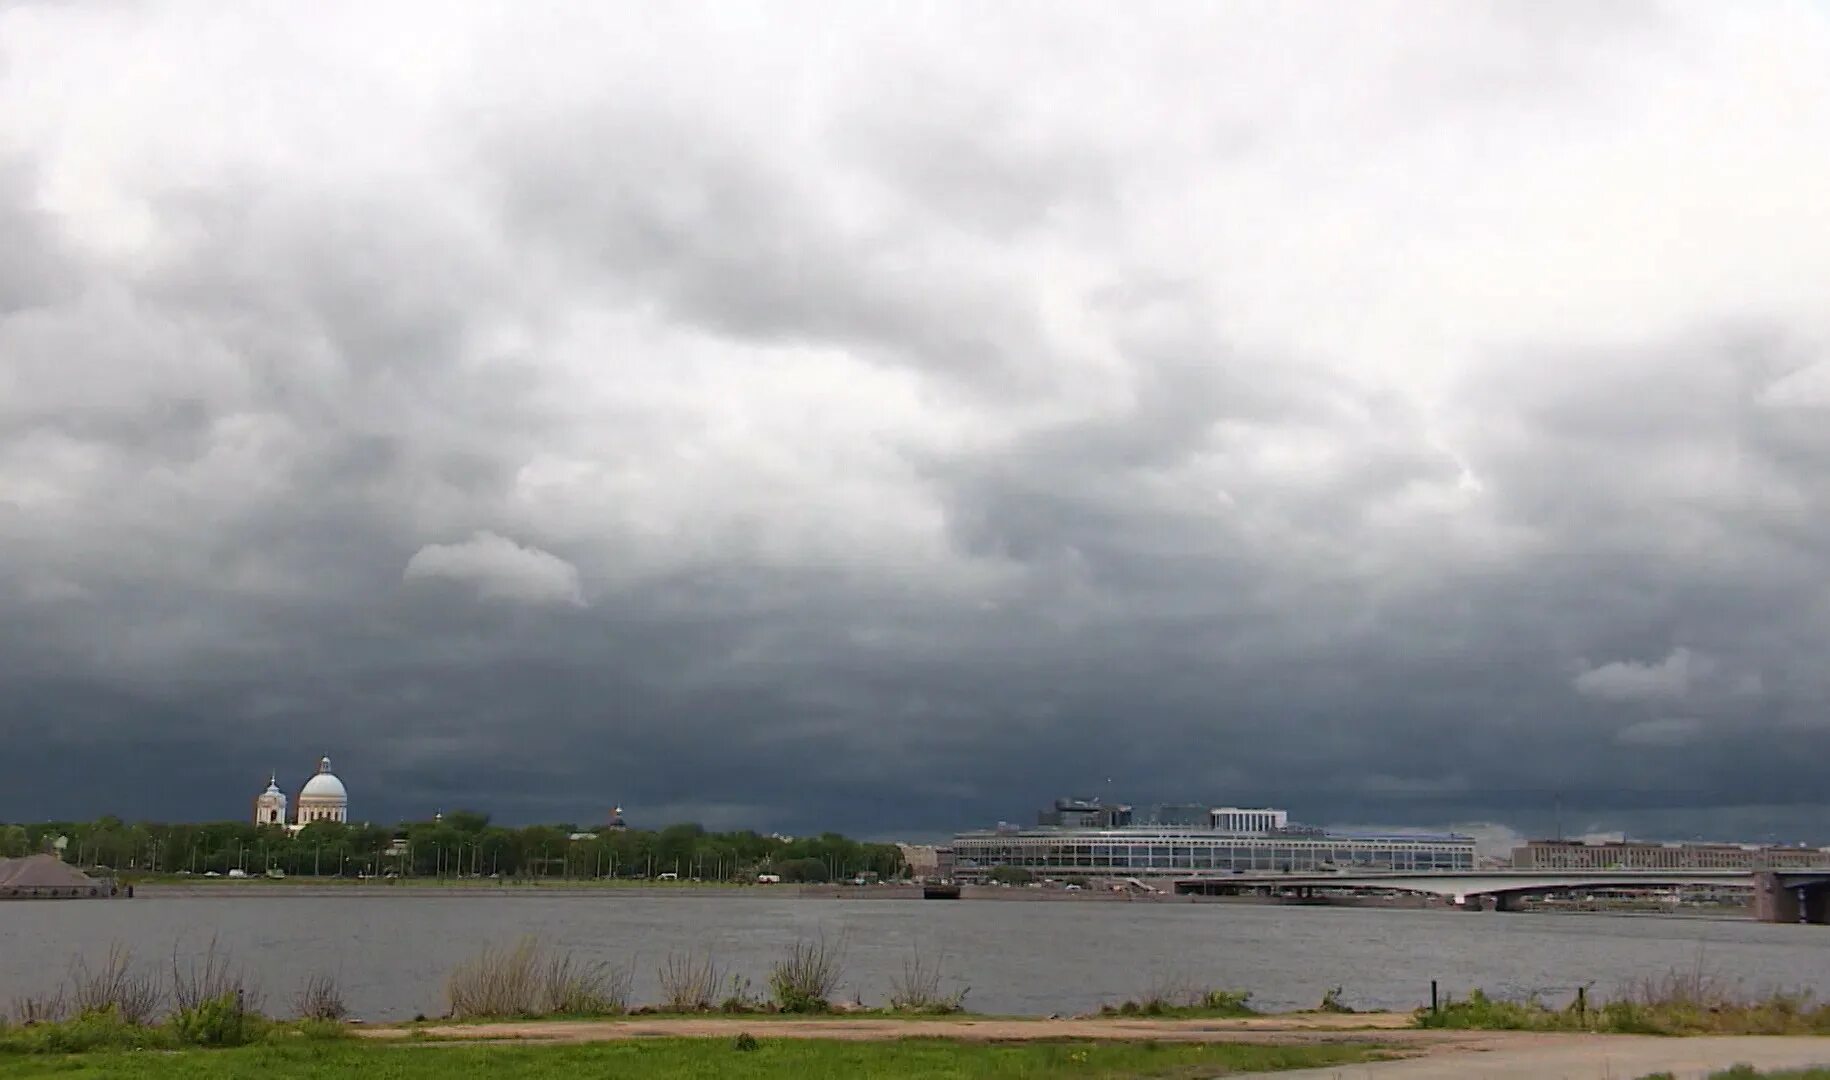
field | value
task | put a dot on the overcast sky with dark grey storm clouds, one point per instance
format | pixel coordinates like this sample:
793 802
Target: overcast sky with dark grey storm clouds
887 416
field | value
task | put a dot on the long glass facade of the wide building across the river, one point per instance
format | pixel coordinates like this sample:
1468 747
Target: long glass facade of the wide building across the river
1198 854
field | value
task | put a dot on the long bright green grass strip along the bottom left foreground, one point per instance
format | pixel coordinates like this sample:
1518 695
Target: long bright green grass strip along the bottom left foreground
700 1059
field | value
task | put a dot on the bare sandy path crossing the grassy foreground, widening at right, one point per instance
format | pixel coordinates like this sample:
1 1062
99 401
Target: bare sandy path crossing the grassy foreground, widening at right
1428 1055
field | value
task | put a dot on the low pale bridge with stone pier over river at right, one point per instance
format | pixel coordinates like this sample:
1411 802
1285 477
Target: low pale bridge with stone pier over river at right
1792 896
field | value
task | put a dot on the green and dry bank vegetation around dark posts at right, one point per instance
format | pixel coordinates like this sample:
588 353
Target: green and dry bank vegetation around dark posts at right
1674 1004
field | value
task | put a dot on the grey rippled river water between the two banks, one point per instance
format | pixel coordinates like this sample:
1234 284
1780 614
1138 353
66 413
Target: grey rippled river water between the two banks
391 955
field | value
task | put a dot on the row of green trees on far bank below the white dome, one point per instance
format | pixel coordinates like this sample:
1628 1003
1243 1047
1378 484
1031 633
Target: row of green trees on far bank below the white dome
458 845
